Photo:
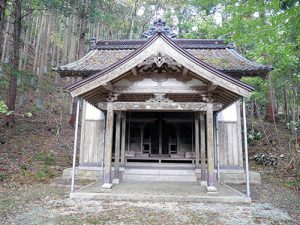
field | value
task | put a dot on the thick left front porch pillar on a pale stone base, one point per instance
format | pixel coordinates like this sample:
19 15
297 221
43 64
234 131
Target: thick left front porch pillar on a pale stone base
108 147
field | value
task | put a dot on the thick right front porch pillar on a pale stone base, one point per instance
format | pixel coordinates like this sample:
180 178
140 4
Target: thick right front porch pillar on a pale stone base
210 148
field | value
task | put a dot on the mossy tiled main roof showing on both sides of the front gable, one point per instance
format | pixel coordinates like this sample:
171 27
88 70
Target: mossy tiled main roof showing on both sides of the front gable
214 52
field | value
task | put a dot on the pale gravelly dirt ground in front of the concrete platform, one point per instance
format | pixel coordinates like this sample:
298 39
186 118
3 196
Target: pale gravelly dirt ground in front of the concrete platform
49 204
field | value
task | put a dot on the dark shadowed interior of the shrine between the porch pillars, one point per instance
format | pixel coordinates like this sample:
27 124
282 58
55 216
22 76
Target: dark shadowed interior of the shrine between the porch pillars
166 137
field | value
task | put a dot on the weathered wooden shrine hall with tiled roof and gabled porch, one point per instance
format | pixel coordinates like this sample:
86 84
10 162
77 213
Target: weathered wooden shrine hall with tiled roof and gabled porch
162 100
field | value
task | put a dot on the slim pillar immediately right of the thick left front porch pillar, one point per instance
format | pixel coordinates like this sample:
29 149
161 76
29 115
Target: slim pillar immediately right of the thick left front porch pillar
117 149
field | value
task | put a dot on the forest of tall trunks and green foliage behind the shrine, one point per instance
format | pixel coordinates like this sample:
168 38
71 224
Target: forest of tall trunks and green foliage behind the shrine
38 35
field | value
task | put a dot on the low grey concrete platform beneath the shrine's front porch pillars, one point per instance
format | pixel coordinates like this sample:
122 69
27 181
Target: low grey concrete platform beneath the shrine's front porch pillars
160 192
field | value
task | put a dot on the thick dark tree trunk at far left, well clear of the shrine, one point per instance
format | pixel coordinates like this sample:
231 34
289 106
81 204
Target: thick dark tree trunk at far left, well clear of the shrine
12 87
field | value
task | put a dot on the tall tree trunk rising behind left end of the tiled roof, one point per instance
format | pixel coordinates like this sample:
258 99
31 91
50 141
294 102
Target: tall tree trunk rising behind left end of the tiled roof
81 52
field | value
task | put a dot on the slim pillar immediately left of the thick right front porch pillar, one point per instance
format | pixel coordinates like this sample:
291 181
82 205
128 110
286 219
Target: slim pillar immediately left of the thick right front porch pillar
203 148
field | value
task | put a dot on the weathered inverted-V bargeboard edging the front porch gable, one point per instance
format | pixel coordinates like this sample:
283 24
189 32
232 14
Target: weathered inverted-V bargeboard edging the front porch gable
161 43
